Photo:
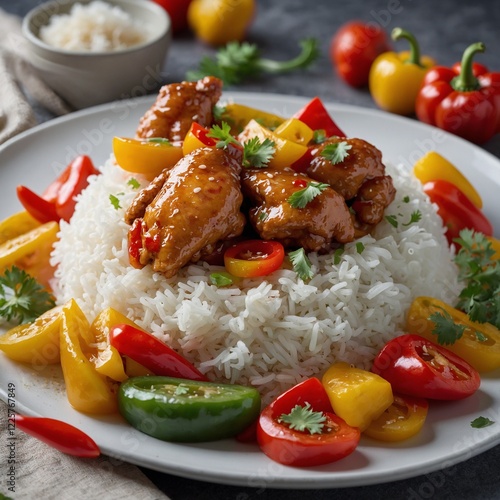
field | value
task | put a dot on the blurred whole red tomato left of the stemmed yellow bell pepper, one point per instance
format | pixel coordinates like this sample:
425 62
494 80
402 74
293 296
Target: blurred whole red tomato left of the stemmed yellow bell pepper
354 48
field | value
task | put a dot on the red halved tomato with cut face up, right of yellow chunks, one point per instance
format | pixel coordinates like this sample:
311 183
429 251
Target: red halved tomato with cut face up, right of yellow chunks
418 367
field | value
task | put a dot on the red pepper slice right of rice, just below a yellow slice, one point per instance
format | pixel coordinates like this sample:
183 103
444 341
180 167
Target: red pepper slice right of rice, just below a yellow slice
456 210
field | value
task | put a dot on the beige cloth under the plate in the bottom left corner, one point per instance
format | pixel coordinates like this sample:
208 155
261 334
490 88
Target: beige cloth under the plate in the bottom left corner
35 470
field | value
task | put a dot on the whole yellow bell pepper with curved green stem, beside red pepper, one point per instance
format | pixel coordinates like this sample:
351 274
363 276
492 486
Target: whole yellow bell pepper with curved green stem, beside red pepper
395 78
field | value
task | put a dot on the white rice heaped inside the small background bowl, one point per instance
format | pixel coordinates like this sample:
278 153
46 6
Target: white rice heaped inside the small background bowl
94 27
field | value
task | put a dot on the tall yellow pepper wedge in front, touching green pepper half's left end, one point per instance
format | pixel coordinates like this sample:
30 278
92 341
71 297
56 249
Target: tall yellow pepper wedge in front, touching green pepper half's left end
87 390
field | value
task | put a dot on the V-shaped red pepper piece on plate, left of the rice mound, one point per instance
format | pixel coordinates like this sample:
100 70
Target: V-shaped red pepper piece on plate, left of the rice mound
58 200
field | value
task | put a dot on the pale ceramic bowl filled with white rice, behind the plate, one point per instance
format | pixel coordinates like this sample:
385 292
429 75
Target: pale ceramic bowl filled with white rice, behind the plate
94 51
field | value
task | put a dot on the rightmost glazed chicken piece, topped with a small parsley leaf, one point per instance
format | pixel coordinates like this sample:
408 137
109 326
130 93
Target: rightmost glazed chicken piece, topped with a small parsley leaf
359 178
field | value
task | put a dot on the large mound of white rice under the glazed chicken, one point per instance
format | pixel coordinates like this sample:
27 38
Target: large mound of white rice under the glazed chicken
273 332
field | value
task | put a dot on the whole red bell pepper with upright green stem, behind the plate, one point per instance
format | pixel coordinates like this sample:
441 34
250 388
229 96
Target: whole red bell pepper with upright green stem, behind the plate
463 99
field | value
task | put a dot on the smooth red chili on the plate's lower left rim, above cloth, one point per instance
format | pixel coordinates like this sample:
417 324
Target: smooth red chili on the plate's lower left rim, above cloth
60 435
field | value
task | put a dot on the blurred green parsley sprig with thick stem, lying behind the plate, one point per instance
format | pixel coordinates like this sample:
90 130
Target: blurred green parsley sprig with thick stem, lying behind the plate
240 61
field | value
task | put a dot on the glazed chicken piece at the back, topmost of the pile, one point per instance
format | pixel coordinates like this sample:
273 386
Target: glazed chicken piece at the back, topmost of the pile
177 106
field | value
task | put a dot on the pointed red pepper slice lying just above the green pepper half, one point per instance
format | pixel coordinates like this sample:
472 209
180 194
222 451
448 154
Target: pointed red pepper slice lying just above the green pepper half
152 353
